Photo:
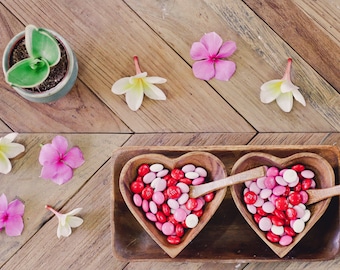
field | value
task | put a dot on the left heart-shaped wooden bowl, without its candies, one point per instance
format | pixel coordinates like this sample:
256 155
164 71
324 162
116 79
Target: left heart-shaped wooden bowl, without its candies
216 171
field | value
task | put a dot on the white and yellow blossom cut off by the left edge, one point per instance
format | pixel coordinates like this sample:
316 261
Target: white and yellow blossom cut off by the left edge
9 149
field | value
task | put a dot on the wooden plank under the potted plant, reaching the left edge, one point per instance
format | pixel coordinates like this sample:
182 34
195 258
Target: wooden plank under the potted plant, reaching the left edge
79 111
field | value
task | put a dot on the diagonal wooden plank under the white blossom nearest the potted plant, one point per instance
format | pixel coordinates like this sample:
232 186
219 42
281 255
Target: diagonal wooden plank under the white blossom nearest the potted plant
105 49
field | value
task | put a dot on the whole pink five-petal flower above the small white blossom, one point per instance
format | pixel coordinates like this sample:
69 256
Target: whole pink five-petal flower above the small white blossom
57 162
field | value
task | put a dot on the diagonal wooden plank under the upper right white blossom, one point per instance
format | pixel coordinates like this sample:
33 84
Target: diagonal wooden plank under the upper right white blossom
261 56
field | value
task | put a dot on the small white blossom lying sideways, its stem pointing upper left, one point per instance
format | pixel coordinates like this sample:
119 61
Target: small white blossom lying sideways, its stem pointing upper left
66 221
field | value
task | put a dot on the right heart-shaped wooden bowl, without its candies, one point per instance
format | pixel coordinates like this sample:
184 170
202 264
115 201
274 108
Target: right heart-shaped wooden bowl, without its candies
324 177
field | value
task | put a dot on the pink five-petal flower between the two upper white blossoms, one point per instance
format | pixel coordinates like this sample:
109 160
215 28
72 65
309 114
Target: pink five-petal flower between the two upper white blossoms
209 53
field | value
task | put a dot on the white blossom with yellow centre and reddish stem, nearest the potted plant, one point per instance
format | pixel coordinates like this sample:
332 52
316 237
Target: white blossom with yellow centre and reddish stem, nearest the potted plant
136 86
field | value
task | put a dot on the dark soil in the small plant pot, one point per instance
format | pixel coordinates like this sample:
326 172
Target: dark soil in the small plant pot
57 72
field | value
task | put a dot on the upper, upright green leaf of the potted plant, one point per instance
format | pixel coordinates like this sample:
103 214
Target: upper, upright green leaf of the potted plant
41 44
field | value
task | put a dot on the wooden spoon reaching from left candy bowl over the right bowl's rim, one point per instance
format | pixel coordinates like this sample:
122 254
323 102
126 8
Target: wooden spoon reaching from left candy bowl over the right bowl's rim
200 190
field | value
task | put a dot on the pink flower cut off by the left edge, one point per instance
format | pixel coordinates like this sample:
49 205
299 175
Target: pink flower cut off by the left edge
11 216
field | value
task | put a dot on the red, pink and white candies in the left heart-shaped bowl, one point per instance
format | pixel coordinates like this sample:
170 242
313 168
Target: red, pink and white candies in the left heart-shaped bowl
164 197
